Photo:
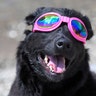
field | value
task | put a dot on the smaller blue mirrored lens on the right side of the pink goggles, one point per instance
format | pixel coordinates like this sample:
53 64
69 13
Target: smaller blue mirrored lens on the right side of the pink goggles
79 28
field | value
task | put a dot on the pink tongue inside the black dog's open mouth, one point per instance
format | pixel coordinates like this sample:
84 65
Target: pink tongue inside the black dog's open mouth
57 64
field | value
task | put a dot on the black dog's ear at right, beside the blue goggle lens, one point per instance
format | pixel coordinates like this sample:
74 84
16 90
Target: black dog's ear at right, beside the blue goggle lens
89 27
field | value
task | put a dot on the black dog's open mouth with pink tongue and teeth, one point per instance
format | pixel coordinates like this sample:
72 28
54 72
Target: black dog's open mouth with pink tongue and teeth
53 64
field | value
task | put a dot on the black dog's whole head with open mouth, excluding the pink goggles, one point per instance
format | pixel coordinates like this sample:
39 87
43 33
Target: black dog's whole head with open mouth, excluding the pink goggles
56 55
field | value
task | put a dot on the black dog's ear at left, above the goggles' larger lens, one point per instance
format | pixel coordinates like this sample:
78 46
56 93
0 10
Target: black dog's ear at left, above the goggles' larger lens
31 18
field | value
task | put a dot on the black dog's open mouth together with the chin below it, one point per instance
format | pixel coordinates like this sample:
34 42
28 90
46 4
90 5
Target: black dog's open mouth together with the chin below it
54 66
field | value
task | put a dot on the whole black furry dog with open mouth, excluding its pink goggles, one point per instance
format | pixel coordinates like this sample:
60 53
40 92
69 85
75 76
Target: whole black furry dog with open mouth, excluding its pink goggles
35 77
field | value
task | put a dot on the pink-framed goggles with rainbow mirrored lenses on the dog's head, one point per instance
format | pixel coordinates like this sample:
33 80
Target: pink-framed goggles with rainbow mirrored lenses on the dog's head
51 20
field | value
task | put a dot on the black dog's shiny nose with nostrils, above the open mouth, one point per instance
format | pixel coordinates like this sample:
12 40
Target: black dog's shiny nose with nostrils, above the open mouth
63 44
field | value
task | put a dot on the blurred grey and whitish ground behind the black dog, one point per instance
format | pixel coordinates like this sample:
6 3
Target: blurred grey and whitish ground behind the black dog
12 14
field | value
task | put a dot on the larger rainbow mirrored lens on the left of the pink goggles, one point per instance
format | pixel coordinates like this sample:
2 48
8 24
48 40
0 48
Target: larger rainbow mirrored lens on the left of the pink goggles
48 20
